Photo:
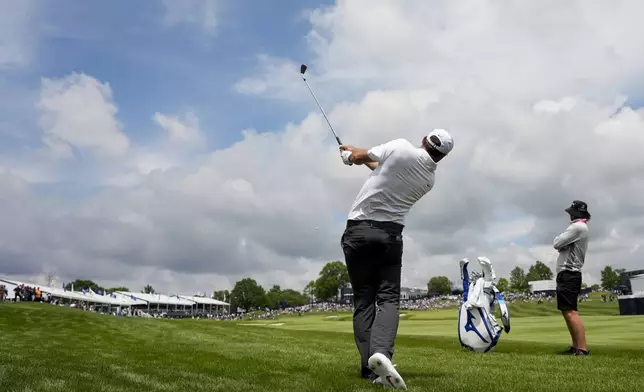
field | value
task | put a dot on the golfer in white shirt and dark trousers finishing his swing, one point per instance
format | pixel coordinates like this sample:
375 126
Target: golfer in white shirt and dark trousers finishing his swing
373 244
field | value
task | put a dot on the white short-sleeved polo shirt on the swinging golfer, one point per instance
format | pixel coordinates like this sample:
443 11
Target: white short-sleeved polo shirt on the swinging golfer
405 173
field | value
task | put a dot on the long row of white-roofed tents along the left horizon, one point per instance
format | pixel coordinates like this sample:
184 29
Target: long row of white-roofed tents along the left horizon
123 299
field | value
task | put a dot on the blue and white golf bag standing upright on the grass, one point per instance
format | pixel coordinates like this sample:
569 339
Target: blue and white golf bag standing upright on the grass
478 329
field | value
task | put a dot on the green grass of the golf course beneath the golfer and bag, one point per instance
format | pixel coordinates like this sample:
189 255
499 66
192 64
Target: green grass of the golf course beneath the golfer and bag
47 348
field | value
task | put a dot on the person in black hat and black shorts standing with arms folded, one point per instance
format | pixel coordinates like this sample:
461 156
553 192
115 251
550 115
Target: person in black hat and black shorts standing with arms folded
572 245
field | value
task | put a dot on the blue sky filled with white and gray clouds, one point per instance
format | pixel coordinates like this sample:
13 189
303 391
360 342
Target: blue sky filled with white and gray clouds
173 142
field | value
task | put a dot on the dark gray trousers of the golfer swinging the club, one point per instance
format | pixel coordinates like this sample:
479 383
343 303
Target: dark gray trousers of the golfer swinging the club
373 254
